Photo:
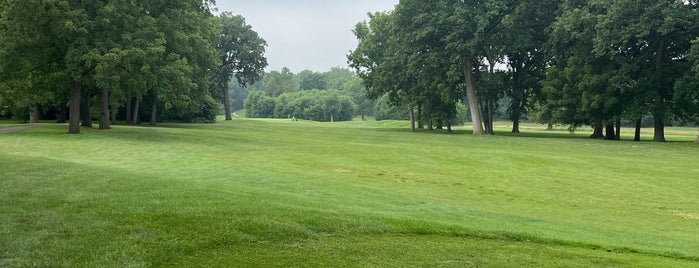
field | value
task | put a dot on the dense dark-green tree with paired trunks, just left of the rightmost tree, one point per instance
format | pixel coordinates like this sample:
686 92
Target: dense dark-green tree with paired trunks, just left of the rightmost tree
584 87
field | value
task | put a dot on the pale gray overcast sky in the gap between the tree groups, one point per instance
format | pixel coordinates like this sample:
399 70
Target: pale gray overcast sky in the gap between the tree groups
305 34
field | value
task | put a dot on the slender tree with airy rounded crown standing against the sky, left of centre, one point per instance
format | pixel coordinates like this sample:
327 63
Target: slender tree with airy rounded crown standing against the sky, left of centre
241 54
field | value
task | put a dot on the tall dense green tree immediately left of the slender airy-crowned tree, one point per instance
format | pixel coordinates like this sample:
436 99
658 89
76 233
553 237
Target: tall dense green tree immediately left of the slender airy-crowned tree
181 77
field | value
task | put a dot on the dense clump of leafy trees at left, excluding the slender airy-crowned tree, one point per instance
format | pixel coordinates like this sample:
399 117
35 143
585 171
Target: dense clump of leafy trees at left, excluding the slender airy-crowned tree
127 49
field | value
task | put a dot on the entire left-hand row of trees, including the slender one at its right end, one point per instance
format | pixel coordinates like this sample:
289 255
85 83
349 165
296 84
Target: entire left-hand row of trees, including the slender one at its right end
174 56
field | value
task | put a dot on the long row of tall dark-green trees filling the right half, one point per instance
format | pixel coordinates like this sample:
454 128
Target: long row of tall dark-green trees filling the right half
578 61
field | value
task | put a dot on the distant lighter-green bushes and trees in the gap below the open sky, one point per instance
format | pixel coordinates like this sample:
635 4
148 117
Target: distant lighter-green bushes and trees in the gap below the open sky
335 95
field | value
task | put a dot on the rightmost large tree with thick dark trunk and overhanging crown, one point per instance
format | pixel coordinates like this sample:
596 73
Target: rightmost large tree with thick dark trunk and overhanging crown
653 36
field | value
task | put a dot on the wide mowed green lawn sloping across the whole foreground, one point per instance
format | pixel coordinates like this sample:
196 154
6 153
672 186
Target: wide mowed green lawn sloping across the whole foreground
276 193
